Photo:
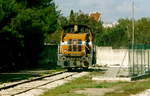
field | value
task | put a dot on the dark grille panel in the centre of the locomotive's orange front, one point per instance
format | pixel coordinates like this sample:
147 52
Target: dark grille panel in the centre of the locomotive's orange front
74 45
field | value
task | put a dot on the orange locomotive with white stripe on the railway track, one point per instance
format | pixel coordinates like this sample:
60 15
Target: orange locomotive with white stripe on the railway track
76 48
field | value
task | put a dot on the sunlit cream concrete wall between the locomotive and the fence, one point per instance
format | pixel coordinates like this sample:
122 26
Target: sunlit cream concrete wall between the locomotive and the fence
108 56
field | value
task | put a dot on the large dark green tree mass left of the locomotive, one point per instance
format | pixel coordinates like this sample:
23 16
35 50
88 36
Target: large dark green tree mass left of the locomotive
24 25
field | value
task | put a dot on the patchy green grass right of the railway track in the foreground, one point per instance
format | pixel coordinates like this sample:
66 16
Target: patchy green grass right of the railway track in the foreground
122 88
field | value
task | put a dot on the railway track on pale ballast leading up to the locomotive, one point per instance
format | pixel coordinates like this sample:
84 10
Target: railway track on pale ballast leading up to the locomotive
36 86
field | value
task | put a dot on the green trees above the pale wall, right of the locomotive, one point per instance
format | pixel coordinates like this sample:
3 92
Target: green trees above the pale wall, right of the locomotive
120 35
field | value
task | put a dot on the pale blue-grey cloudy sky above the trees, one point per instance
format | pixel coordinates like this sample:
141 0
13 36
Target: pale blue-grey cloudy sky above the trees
111 10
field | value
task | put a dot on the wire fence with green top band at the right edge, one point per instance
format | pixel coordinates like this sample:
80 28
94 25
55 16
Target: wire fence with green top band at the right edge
139 59
